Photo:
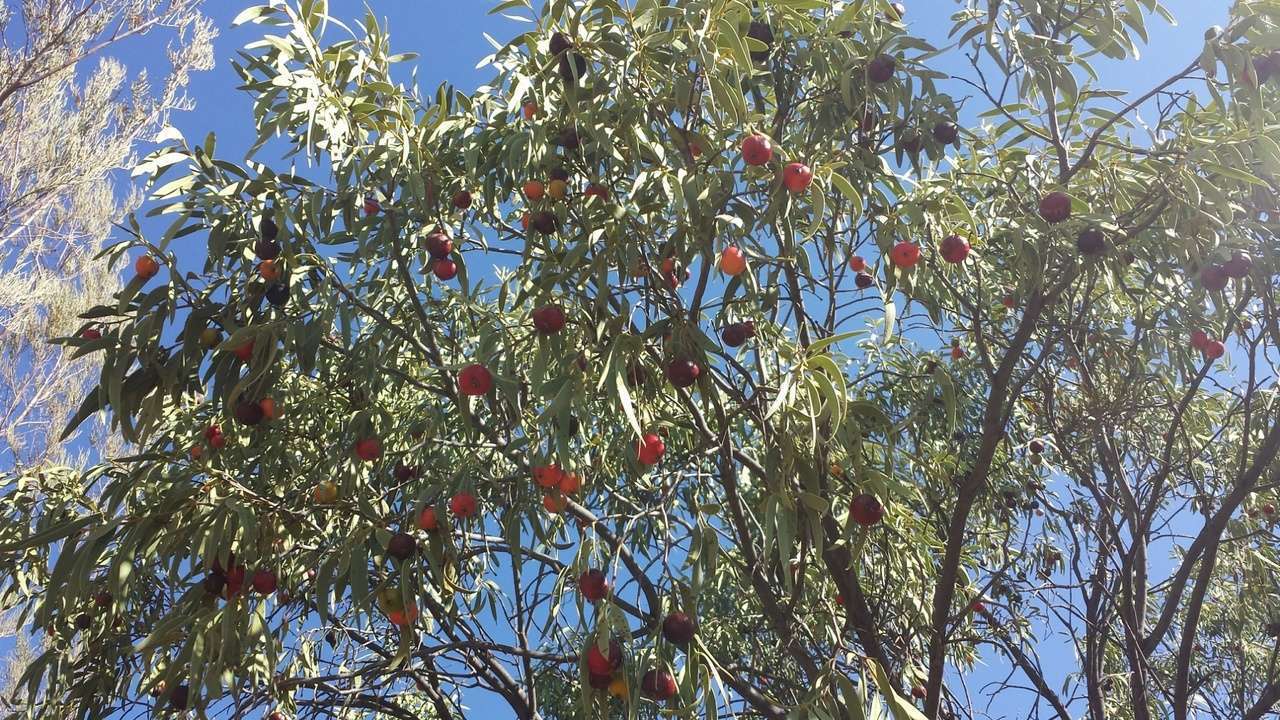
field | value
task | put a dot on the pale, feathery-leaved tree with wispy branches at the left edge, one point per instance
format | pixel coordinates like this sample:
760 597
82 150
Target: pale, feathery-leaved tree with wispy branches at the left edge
62 142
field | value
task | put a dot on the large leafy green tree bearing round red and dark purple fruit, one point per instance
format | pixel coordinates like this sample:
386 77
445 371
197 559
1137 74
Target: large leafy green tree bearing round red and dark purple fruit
705 363
